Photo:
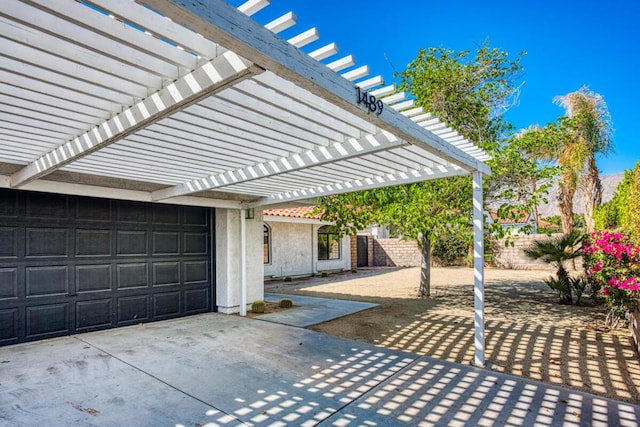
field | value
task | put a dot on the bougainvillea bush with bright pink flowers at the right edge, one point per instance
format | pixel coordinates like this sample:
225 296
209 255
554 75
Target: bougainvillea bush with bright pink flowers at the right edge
612 263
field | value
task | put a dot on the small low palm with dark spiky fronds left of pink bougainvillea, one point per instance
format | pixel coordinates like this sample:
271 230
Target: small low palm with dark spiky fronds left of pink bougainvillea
556 252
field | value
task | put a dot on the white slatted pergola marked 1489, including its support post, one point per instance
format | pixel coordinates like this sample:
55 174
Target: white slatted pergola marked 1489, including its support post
193 102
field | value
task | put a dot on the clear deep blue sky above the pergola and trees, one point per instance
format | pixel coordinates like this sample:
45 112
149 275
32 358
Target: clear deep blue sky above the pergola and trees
569 44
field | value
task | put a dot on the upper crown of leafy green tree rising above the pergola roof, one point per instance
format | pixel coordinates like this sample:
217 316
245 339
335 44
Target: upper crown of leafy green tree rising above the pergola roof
470 94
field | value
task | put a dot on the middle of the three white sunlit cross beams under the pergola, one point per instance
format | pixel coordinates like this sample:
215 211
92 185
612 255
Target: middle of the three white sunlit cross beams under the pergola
322 155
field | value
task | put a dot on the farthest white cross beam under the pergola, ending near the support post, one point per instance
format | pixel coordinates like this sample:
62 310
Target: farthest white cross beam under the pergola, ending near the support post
398 178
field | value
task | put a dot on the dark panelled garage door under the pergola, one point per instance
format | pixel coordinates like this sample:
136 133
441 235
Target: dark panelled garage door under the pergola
74 264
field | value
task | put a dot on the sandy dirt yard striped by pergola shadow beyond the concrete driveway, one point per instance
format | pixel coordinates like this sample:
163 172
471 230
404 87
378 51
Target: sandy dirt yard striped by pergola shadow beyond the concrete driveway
527 333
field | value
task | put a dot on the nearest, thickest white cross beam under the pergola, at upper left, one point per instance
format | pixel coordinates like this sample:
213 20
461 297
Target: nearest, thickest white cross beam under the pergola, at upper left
212 77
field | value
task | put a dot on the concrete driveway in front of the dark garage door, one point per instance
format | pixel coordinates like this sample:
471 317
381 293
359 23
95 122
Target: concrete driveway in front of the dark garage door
220 370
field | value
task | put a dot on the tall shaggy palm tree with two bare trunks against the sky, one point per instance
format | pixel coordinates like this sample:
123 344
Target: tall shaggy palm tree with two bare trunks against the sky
590 134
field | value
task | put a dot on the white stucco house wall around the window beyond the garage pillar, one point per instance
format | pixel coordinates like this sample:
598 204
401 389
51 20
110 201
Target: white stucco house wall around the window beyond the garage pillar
294 251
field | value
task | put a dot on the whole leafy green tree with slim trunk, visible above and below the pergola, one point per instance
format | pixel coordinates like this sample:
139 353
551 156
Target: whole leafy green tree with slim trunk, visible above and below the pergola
471 94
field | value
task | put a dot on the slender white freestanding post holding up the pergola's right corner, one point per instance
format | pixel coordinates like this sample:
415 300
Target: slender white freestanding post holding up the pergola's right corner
478 269
